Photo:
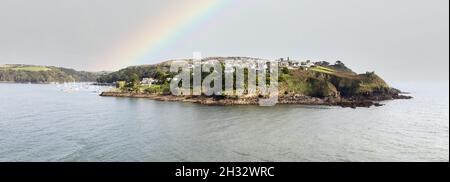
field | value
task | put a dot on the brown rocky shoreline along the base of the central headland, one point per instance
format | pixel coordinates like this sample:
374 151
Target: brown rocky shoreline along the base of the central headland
352 102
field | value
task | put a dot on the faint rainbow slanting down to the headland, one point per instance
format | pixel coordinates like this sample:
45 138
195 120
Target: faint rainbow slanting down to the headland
140 46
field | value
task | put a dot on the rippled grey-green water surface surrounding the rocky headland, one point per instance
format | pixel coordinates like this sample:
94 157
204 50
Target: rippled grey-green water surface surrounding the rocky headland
45 123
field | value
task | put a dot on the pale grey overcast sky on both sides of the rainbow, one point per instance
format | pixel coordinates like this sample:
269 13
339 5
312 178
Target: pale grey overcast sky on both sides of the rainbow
402 40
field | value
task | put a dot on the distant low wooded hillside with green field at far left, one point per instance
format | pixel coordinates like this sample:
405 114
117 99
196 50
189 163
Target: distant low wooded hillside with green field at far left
43 74
